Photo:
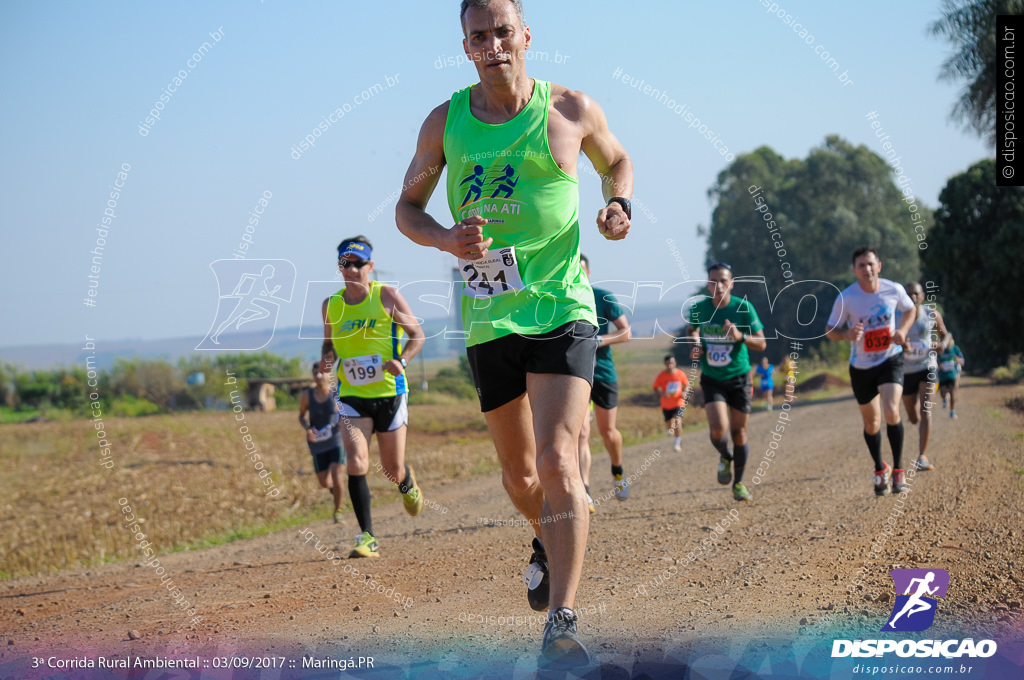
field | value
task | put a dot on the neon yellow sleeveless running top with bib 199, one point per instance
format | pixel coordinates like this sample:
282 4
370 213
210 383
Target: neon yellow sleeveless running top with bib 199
364 337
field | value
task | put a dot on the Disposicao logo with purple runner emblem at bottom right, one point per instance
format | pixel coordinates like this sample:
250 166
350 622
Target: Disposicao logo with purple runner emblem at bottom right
915 612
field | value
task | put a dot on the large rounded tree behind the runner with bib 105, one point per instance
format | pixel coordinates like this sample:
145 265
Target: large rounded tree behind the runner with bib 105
819 210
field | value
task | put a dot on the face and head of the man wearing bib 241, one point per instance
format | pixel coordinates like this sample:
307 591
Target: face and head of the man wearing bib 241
496 42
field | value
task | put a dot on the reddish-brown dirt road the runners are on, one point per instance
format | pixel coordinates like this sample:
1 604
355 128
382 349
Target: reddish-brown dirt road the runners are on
788 566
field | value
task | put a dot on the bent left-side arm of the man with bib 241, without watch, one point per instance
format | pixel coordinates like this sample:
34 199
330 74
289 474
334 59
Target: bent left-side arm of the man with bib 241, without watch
464 240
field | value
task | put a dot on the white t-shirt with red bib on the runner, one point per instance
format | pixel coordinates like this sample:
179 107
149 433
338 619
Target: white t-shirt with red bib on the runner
878 312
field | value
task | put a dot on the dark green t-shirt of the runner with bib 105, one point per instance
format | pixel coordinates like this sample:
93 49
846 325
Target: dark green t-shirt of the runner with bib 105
724 358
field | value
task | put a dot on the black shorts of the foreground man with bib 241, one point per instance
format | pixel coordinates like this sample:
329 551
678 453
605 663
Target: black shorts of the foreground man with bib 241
500 366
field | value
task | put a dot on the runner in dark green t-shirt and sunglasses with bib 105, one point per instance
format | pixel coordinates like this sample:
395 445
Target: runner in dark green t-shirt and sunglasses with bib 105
722 328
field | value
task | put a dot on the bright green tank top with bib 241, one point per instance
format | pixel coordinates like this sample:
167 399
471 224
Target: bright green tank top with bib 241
532 281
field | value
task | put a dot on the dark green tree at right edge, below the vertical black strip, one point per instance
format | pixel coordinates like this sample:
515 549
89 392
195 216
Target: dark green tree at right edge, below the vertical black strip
975 261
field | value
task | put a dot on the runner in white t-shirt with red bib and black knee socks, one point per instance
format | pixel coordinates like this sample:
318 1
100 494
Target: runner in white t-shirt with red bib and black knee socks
866 315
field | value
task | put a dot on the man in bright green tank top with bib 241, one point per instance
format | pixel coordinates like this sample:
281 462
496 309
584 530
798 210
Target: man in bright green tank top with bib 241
511 144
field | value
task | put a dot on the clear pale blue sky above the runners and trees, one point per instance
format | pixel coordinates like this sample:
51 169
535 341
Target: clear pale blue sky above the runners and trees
79 78
